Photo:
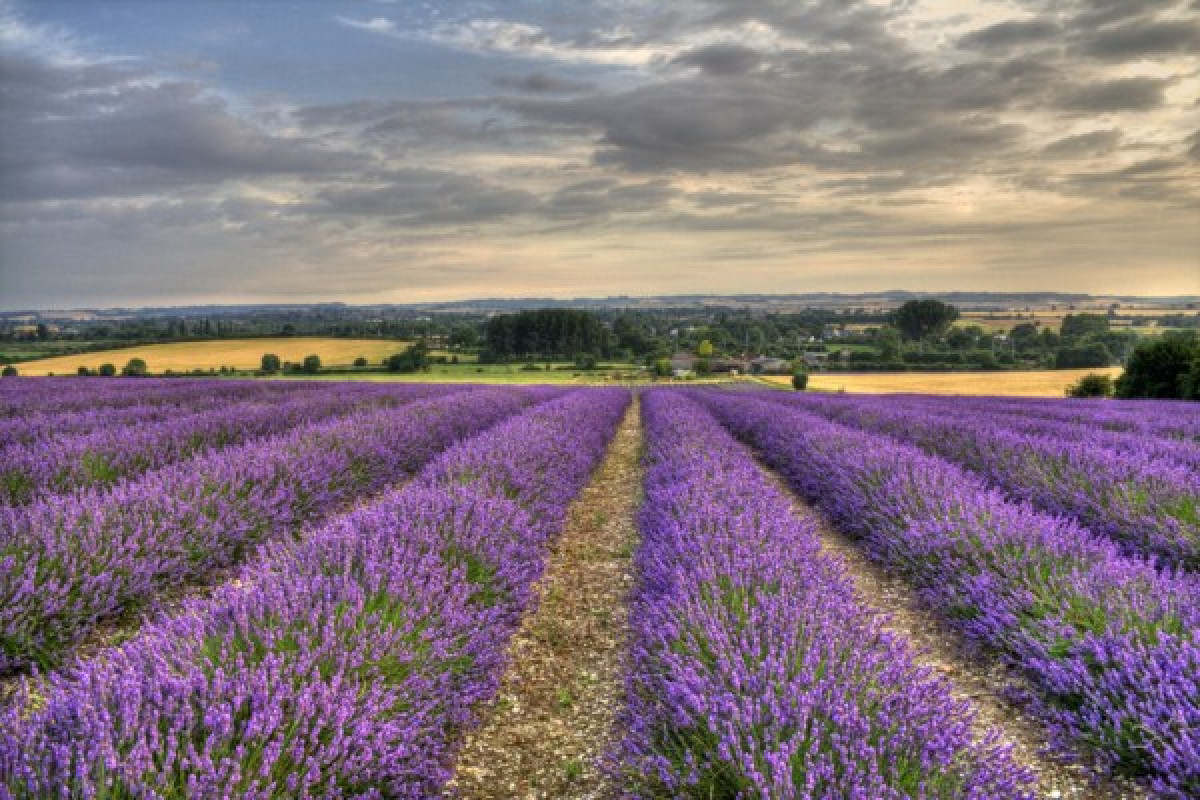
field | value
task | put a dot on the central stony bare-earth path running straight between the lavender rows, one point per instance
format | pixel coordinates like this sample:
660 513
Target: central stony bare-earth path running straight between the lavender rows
554 717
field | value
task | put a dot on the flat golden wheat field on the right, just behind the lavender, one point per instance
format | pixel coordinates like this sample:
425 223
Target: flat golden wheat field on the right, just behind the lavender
1042 383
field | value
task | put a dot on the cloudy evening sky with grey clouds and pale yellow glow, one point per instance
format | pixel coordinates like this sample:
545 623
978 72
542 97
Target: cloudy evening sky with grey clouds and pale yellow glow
184 152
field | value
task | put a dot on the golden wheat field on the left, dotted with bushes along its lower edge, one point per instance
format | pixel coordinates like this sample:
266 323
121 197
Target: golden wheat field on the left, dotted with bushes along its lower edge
239 354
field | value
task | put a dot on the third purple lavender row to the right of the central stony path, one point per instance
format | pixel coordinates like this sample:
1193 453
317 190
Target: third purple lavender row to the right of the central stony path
1148 506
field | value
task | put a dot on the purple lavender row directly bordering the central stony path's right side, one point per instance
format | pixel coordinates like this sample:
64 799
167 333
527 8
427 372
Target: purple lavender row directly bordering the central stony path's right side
757 673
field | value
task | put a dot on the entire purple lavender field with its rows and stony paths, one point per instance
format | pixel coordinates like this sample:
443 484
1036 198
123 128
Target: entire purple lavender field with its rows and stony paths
356 590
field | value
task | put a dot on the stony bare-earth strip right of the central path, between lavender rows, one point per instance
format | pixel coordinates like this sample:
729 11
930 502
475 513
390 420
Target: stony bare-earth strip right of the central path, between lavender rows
980 679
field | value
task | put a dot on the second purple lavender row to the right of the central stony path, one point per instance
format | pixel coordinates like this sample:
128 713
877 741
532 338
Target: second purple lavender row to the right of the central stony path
1109 641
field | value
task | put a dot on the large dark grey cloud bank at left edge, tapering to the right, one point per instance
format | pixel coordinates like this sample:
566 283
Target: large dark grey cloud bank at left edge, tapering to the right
105 130
